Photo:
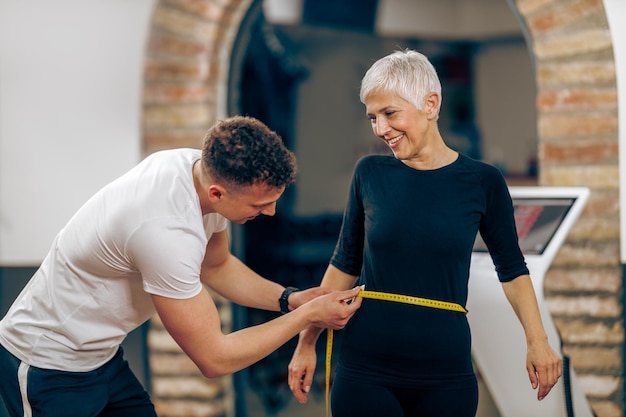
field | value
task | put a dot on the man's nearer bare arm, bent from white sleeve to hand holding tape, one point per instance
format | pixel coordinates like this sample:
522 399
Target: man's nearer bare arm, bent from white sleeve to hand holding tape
195 325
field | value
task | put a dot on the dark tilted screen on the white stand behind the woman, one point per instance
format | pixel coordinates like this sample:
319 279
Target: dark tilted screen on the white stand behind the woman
537 220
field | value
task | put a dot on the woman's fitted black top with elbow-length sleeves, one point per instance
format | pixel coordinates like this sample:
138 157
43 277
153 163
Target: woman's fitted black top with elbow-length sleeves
411 232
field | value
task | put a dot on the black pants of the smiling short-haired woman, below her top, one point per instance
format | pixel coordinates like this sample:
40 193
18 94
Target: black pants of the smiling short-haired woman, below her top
354 398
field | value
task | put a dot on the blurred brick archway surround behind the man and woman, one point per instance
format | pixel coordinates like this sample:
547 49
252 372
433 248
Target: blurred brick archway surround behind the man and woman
186 78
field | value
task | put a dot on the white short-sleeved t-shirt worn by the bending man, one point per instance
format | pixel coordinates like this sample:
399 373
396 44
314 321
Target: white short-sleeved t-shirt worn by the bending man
142 234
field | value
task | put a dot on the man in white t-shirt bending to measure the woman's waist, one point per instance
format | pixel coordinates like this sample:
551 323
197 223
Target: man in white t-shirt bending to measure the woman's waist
149 242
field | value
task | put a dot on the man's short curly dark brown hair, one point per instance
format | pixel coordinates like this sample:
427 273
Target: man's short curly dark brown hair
243 151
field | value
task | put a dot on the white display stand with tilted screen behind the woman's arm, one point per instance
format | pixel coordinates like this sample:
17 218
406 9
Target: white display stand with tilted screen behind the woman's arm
544 216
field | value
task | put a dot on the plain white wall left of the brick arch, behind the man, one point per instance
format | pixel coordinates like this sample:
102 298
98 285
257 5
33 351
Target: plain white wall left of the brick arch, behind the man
71 74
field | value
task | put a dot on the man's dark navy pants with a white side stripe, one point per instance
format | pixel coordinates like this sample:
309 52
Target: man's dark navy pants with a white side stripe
111 390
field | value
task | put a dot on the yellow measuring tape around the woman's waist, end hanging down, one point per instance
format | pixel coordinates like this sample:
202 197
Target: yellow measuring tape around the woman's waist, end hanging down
385 296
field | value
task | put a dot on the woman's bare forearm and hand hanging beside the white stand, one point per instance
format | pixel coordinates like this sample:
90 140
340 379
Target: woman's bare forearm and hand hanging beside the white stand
543 364
